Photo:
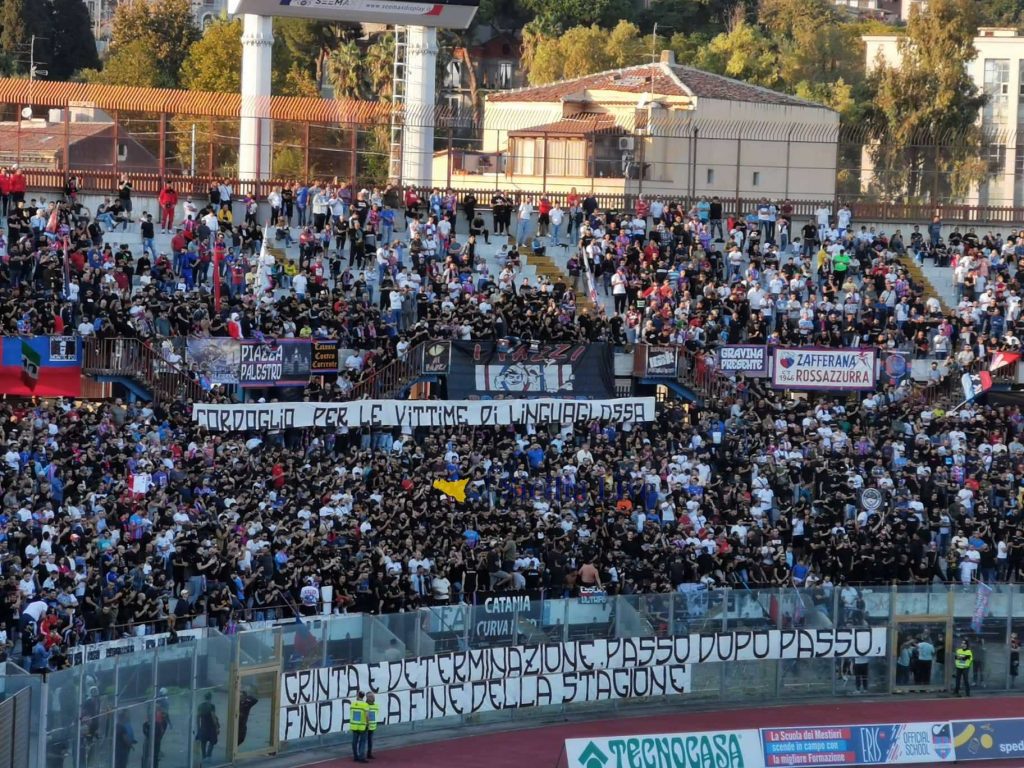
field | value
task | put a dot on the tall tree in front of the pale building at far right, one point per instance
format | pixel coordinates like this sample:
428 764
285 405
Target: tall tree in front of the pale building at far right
924 110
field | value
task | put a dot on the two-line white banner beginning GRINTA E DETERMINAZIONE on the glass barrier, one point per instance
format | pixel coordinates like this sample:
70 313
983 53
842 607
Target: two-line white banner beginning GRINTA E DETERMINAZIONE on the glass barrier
317 702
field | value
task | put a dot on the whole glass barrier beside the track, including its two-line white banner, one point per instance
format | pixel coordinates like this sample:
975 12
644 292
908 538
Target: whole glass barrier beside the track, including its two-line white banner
517 659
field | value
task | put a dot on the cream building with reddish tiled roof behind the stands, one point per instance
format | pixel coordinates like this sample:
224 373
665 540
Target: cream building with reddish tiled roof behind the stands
659 129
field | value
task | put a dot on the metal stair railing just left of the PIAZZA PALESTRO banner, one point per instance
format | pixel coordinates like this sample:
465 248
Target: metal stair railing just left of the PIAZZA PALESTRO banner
139 361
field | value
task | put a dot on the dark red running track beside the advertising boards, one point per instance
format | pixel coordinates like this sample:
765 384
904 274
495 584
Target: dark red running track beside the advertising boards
541 748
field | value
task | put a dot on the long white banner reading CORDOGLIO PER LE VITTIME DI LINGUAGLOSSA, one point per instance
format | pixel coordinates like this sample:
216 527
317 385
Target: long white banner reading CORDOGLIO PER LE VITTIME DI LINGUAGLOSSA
271 416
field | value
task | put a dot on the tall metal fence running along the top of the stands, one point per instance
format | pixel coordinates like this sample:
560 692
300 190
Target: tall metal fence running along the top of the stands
531 147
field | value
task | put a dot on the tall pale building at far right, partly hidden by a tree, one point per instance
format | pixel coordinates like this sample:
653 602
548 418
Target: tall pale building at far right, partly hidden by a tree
999 73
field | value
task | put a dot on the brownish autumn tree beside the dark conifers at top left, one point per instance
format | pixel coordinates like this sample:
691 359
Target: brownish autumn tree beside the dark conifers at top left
165 28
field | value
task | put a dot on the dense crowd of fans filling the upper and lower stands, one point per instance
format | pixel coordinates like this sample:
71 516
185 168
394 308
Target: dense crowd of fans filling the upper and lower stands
127 520
